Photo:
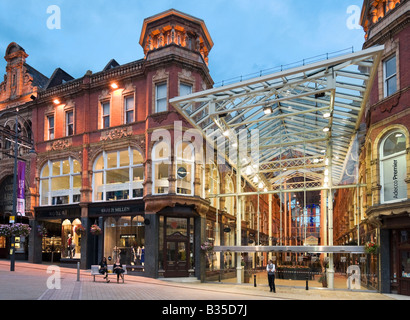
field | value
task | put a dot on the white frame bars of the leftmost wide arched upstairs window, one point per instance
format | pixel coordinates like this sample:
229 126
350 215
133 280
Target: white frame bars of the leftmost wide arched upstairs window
70 193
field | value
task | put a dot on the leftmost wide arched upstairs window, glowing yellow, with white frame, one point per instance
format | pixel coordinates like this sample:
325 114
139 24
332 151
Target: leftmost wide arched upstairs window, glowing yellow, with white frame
60 182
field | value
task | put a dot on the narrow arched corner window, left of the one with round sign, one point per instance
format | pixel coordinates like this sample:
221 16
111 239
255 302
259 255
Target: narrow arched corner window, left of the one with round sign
160 167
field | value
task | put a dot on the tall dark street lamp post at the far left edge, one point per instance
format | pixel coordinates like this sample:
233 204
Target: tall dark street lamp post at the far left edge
25 143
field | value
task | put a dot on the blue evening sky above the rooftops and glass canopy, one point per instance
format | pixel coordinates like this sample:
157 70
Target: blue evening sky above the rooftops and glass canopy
248 35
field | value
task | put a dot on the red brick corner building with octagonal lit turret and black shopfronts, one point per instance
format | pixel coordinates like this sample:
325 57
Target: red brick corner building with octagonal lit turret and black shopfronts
112 152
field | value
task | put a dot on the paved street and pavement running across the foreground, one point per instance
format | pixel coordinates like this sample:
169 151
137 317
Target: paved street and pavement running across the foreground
42 282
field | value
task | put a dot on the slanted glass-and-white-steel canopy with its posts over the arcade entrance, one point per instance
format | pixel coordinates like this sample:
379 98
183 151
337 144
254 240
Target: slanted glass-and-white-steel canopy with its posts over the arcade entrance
302 123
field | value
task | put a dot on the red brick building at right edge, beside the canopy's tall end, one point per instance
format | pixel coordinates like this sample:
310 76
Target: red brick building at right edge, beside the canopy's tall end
384 205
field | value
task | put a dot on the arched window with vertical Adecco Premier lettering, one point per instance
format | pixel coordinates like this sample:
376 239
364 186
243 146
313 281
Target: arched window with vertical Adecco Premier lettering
393 168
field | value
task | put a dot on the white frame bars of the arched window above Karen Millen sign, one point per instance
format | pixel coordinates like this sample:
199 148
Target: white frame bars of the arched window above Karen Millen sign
130 185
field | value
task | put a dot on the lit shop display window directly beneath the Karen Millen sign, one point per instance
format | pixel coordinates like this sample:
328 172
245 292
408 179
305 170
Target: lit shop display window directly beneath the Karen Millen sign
125 237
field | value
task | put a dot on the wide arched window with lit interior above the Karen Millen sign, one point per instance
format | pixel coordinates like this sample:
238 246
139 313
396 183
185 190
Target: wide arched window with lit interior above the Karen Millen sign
118 175
